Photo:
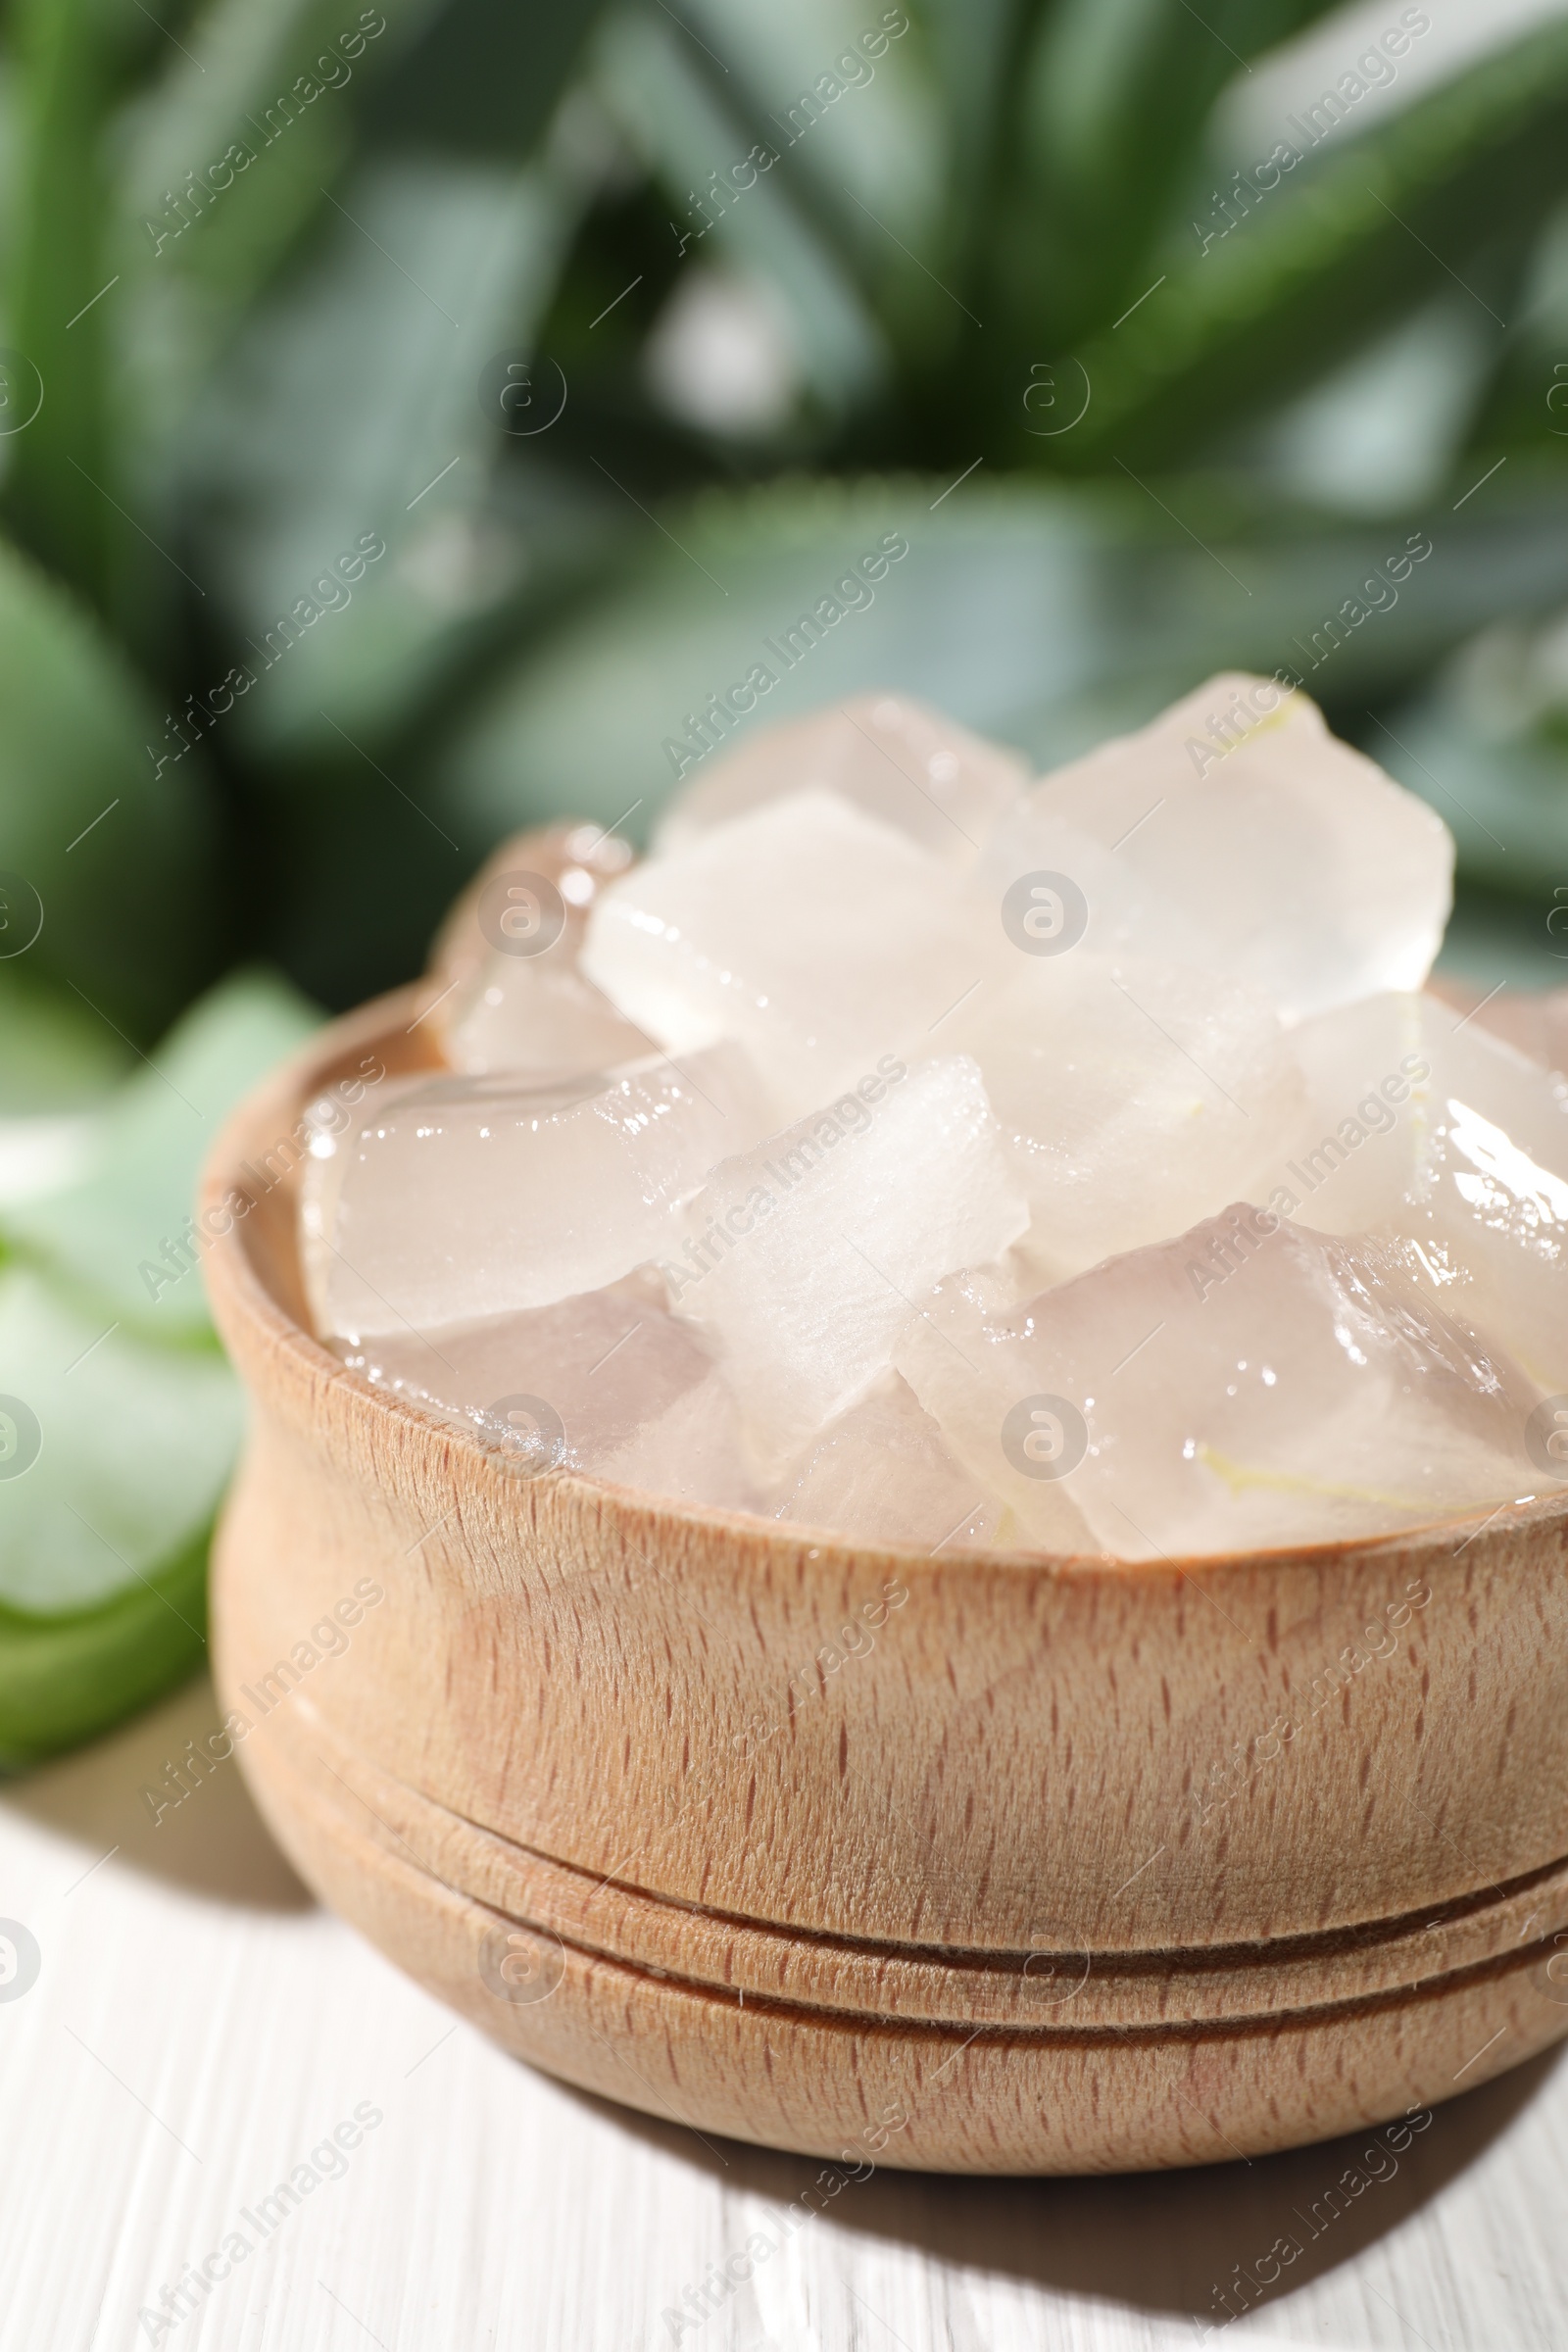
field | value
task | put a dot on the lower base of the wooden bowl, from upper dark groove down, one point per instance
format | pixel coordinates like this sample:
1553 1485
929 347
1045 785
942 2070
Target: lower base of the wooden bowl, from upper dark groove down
1137 2064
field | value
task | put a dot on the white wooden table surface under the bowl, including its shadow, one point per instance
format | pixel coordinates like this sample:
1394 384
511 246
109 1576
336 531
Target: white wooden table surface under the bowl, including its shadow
199 2026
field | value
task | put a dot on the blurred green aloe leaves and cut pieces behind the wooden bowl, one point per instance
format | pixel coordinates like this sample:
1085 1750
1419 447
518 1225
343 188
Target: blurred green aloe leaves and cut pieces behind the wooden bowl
413 417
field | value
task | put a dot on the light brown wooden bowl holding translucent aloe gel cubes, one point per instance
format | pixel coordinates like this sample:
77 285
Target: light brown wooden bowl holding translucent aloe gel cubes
967 1862
